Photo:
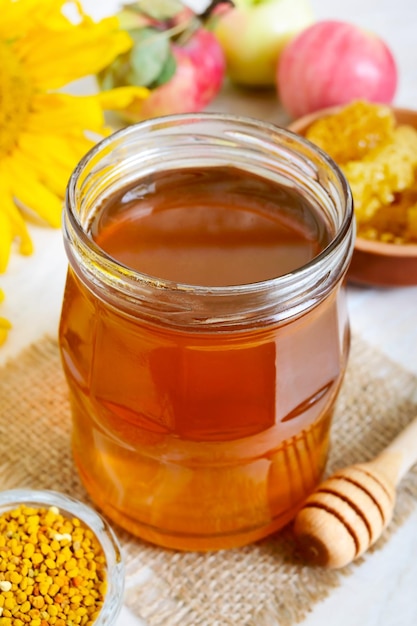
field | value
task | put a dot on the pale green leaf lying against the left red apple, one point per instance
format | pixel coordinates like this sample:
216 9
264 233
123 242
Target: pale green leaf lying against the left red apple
148 55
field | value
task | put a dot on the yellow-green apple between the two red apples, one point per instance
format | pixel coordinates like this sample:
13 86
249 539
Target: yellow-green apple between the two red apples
253 34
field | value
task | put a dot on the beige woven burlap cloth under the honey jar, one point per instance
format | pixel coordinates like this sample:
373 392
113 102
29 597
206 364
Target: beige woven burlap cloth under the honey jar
259 585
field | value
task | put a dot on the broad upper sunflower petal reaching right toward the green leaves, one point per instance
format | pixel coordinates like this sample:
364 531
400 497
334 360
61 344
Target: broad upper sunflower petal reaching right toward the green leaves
54 59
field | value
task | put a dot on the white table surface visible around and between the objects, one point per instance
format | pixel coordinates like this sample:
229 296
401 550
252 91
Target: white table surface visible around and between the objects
382 591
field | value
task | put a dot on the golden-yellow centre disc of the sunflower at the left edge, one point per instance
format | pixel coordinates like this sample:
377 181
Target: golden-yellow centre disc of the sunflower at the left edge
15 97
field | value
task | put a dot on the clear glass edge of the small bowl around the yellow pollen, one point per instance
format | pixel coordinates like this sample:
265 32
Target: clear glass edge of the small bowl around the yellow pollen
70 507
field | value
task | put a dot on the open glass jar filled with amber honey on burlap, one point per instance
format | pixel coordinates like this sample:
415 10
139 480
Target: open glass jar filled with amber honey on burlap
204 331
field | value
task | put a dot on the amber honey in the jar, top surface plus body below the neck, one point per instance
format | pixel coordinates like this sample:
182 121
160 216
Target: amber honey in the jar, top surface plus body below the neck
202 440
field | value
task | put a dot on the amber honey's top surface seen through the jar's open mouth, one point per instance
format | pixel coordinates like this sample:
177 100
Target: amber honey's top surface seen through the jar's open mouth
213 227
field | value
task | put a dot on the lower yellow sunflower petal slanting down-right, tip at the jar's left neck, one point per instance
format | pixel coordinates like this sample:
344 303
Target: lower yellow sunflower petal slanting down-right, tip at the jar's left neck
32 193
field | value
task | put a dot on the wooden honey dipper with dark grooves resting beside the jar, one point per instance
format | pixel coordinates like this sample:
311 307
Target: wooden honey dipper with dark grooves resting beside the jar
349 511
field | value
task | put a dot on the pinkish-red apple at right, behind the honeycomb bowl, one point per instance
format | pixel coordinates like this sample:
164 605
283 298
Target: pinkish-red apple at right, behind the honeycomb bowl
332 63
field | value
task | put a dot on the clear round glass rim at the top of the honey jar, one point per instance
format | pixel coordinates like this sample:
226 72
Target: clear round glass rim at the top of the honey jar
224 290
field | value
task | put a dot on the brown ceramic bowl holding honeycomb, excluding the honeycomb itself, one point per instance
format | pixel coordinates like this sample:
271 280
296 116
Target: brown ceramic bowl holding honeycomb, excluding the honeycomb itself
373 262
